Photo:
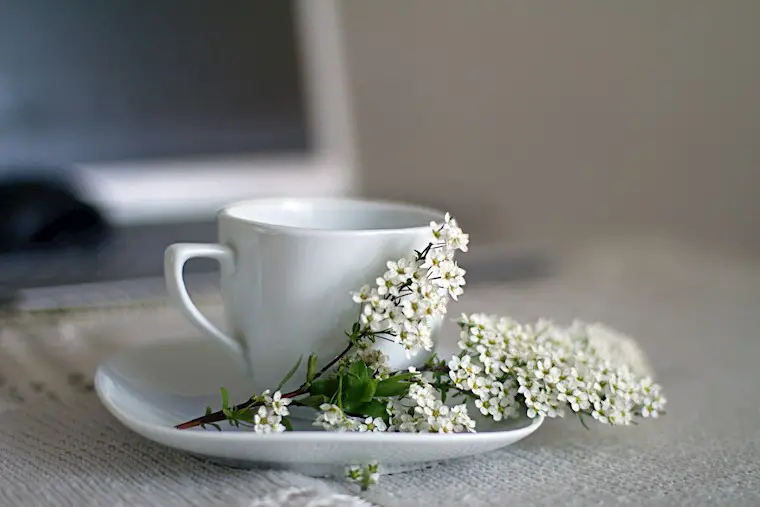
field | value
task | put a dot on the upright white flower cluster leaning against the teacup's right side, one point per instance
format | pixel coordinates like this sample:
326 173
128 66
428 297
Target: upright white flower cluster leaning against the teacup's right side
413 293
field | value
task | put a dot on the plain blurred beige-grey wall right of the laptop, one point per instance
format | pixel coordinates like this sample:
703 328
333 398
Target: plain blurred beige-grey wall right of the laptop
558 121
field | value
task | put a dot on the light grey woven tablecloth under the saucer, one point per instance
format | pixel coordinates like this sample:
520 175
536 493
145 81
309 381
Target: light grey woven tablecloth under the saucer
696 314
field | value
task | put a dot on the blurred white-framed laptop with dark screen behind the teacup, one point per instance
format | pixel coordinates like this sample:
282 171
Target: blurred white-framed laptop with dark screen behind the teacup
124 127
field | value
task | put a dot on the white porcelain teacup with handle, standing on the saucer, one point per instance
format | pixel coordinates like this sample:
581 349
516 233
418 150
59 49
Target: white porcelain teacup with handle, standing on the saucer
287 269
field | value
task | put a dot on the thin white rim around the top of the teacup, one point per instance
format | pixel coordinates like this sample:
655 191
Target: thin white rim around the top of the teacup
431 214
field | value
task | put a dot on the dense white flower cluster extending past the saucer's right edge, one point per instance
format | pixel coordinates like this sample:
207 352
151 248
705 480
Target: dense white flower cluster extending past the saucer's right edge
548 369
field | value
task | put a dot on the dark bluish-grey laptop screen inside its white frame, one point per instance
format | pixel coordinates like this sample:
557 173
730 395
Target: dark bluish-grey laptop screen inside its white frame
84 81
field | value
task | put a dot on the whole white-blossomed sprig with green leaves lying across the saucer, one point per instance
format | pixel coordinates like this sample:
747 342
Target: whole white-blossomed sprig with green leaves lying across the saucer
505 369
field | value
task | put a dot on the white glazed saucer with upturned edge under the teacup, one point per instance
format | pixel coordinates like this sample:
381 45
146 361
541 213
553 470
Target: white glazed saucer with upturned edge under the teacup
150 388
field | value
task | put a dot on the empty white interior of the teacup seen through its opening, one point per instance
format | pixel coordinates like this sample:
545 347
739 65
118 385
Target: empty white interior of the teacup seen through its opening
332 214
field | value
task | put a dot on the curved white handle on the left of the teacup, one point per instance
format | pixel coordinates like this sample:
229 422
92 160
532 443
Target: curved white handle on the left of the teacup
175 257
